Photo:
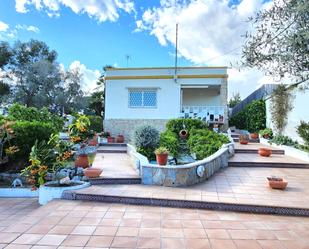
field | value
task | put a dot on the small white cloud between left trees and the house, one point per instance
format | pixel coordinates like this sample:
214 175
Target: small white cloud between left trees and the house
89 77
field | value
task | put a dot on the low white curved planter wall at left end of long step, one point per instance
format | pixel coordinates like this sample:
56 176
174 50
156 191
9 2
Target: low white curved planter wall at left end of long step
48 191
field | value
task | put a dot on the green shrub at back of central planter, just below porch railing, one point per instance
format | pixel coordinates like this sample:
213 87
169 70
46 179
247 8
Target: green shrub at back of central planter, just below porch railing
176 125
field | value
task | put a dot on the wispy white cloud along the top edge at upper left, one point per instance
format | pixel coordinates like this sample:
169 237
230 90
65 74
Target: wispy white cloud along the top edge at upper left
102 10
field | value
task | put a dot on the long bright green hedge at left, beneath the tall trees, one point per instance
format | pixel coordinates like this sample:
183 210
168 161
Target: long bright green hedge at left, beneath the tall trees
22 113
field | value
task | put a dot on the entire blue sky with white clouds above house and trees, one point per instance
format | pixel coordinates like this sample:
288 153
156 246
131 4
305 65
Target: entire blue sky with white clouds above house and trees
90 34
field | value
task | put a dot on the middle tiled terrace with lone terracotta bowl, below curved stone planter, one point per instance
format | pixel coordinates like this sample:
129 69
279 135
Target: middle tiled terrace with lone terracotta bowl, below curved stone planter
231 185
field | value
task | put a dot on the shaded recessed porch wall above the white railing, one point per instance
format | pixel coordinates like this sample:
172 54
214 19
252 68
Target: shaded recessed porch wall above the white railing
199 97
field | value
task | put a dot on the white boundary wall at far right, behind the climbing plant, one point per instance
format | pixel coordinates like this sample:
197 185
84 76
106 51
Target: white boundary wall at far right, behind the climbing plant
300 112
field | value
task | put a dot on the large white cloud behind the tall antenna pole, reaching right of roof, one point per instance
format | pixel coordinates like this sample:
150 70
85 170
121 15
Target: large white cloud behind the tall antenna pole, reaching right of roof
210 33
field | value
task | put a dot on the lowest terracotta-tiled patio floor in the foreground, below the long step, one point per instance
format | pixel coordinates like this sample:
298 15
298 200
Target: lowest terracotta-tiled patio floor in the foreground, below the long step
71 224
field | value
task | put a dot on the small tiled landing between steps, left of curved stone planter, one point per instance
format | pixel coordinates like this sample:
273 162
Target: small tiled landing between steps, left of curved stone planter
115 165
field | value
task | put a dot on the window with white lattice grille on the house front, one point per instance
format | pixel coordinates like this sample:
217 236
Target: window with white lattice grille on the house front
143 98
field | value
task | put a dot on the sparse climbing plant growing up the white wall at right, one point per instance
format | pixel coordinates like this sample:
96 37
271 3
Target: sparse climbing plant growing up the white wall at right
280 106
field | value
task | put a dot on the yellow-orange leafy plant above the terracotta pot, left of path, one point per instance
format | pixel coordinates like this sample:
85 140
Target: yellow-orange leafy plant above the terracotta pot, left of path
80 130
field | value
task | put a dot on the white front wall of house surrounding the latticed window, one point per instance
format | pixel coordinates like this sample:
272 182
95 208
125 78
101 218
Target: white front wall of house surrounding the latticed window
117 103
